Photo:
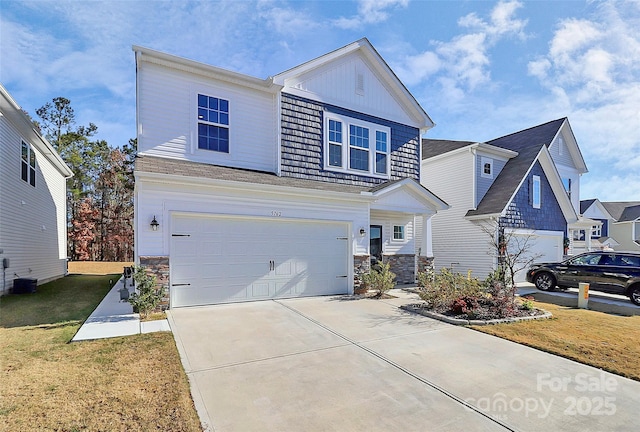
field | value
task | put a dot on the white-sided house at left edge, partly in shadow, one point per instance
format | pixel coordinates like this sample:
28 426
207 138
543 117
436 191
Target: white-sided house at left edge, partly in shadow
33 210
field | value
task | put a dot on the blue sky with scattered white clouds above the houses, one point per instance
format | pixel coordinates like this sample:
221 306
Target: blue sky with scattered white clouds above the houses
480 69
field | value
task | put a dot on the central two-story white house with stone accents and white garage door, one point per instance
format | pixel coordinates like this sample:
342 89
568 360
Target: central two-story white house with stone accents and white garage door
278 187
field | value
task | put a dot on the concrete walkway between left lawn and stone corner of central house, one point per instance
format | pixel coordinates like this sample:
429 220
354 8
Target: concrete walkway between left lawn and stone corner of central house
113 318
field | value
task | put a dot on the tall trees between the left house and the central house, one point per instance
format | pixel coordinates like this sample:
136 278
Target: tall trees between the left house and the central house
100 193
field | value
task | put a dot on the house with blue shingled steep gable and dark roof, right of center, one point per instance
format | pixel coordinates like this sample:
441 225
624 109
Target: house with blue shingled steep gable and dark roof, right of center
527 182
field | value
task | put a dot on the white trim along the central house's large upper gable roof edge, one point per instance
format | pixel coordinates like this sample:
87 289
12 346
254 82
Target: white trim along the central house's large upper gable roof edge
381 68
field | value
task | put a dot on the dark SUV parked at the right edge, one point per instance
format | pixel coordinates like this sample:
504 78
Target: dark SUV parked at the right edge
612 272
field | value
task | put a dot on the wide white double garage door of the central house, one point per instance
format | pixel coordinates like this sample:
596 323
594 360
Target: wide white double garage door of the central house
222 259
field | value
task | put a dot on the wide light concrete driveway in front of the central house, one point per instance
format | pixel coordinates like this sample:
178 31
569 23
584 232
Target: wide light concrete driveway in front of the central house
332 364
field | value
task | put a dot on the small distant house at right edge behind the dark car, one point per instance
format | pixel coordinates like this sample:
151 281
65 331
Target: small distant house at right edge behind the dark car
620 228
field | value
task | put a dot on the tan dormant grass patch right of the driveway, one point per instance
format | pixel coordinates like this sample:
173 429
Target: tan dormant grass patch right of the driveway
603 340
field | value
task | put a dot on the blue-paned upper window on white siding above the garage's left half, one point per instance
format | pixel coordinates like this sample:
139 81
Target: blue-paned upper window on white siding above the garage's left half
213 124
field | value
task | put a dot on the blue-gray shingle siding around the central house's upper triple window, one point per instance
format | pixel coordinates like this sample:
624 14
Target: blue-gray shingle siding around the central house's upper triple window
302 144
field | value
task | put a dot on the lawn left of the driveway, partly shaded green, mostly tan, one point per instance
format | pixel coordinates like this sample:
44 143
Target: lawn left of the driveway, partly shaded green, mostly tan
133 383
